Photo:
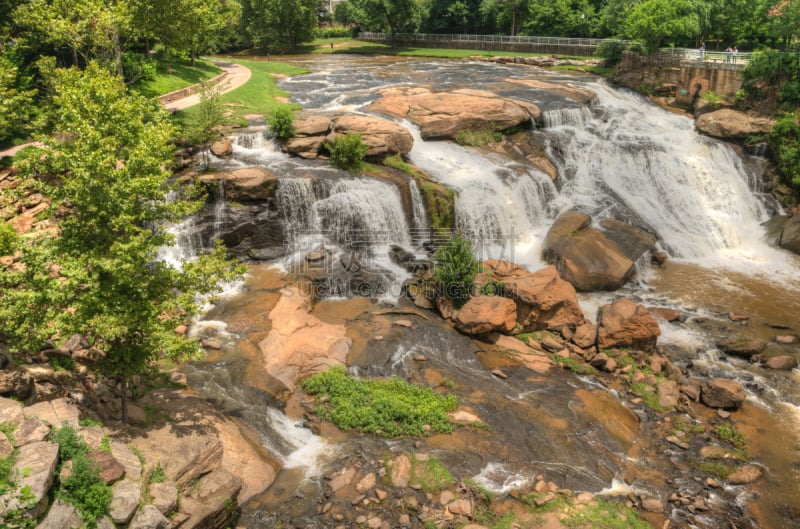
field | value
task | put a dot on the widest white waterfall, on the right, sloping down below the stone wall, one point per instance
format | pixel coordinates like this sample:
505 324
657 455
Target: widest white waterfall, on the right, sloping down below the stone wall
635 158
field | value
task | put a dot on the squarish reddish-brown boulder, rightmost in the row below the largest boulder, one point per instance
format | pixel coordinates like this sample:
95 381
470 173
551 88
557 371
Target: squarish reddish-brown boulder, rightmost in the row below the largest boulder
623 323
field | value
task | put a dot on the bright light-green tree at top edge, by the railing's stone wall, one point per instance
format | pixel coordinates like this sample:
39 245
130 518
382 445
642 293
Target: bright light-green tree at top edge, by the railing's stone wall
652 21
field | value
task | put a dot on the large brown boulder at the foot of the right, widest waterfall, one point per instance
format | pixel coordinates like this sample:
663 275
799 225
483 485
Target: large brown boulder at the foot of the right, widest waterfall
584 256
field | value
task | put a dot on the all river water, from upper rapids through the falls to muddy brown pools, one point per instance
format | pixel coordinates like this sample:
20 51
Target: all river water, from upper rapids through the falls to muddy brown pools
621 156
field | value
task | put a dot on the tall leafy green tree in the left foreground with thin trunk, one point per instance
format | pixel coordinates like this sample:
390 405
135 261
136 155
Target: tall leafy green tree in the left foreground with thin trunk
102 170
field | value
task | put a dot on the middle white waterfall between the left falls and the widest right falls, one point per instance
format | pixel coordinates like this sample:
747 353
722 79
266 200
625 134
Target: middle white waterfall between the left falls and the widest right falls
501 209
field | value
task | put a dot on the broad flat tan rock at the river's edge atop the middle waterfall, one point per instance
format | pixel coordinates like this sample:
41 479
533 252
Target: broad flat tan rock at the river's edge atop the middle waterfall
442 115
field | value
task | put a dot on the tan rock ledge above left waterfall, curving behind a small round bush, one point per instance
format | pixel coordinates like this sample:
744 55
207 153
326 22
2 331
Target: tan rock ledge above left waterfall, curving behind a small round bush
381 135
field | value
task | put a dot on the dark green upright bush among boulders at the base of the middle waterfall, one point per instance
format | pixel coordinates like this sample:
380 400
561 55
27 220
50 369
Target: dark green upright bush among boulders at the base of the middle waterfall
456 268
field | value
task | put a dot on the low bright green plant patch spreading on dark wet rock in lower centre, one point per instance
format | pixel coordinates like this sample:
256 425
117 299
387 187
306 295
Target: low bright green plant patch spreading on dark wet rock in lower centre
387 407
